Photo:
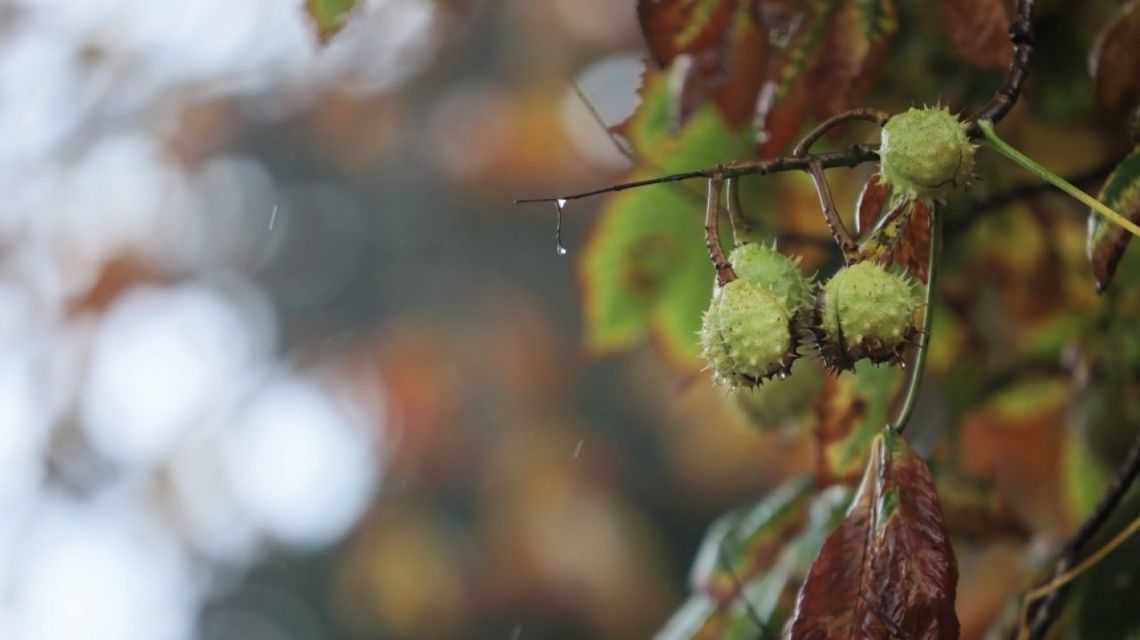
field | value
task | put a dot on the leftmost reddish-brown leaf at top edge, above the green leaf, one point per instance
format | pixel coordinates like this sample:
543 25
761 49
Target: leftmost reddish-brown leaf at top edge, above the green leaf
728 50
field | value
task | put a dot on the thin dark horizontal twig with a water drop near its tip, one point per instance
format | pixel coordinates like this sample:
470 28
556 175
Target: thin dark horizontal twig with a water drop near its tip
854 157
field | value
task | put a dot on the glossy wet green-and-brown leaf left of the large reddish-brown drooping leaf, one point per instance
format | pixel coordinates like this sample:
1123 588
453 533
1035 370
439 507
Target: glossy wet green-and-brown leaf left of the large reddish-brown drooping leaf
744 545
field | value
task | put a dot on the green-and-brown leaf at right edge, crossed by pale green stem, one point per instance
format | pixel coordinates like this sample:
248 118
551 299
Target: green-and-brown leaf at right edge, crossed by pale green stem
1108 241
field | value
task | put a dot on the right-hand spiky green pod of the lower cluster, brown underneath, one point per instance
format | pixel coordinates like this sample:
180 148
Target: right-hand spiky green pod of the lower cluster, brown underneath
866 312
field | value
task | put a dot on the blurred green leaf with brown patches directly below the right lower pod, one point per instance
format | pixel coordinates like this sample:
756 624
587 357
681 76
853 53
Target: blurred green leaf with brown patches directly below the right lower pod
852 411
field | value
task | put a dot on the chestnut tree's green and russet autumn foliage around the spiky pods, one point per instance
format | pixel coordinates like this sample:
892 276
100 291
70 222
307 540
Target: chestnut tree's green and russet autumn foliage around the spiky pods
1028 412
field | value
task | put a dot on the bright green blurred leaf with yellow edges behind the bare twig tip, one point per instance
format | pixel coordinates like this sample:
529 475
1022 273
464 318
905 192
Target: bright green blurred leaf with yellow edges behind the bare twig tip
646 270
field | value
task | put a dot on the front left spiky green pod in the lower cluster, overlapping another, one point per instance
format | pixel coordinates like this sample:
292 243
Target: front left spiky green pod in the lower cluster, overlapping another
747 336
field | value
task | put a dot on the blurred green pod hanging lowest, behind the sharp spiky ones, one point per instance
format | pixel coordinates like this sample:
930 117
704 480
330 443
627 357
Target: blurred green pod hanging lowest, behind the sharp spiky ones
780 403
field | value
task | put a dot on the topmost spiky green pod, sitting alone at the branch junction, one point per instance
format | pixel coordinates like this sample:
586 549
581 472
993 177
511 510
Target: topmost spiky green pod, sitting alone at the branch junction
925 153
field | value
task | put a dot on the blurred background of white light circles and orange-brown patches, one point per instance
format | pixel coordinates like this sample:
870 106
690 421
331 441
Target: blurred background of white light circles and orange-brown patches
280 360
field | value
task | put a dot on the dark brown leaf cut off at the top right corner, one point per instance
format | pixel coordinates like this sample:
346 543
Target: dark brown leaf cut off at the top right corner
1115 60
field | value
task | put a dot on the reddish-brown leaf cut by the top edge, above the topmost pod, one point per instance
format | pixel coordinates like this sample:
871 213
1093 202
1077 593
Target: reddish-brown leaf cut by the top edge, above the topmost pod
979 30
